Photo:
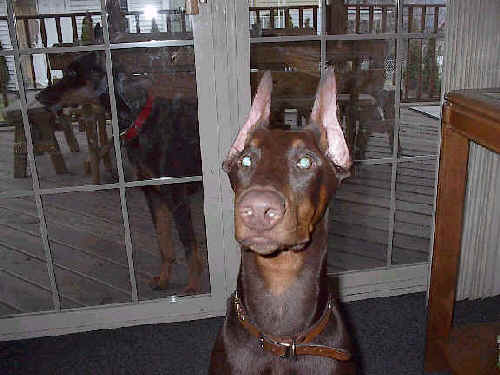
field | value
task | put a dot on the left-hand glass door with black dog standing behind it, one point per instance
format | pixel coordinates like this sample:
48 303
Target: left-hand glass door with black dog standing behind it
110 191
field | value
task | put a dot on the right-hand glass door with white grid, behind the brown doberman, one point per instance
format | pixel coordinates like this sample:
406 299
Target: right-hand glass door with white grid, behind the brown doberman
388 58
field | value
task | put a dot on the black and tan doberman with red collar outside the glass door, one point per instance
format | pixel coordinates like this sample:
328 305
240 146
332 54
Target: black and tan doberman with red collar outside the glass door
160 136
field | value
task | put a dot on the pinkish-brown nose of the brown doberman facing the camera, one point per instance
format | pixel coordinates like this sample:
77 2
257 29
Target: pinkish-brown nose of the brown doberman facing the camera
261 209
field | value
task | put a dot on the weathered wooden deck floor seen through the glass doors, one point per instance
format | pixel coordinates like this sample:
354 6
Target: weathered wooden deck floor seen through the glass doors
87 238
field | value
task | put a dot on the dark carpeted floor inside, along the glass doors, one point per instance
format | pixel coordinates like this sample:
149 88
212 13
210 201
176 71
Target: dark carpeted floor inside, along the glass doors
388 333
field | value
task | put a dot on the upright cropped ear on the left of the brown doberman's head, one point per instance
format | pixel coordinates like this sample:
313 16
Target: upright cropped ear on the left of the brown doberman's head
259 115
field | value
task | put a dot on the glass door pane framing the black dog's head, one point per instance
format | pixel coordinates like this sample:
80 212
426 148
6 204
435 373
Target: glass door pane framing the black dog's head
69 113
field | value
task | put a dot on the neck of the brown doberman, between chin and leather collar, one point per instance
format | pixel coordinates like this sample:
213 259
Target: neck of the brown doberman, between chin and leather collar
286 293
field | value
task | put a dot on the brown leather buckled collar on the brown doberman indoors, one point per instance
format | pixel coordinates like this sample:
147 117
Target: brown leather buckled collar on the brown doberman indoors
288 346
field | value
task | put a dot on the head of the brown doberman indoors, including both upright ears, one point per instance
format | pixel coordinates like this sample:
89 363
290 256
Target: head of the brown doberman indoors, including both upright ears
283 180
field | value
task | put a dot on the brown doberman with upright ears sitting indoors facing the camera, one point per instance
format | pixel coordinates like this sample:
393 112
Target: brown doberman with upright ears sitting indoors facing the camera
282 318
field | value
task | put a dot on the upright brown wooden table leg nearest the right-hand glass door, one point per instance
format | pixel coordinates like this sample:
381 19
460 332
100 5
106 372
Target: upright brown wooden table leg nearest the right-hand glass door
447 241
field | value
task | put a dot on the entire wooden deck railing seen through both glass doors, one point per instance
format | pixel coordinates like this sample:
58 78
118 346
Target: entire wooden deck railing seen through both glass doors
289 20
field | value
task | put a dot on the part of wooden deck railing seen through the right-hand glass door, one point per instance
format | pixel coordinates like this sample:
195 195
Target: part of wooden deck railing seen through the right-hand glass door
420 76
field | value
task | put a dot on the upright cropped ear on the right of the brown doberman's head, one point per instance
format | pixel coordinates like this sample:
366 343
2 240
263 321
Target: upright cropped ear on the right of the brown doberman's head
324 119
